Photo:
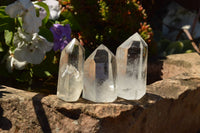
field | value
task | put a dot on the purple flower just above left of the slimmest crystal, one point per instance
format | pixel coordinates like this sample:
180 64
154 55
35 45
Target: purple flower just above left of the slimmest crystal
61 35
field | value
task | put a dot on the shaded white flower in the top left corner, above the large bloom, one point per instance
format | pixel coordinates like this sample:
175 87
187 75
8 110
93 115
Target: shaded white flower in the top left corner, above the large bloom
26 10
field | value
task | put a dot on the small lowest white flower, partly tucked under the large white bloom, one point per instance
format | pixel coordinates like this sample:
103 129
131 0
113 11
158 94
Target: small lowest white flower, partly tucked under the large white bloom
13 63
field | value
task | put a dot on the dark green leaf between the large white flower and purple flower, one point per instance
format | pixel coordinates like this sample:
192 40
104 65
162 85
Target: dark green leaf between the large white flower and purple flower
46 33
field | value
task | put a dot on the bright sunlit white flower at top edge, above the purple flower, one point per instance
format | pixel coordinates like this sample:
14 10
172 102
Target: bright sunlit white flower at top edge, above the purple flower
54 9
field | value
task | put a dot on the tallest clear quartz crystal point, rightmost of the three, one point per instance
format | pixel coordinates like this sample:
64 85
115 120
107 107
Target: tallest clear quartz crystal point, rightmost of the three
131 59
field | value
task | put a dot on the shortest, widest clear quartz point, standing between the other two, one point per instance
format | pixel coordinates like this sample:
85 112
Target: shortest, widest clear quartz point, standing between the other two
100 75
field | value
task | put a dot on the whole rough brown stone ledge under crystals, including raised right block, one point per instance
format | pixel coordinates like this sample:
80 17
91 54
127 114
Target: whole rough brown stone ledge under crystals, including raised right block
171 105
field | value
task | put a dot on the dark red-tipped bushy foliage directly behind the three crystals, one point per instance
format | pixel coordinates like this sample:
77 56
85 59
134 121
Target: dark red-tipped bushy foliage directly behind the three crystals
107 21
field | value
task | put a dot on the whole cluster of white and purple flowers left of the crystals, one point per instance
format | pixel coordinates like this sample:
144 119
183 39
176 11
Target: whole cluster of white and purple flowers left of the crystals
29 46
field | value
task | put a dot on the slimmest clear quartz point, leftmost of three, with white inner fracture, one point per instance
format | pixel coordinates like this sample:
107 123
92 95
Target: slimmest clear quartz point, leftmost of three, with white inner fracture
70 77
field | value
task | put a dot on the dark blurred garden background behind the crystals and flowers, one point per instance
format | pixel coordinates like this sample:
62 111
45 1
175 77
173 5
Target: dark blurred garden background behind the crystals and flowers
110 22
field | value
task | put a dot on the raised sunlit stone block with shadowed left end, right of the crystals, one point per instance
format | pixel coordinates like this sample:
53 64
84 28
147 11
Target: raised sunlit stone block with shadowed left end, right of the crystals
172 66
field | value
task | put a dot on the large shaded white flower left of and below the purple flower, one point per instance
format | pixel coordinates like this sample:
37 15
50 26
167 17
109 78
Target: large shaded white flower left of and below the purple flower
31 50
